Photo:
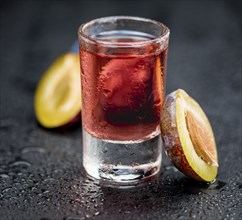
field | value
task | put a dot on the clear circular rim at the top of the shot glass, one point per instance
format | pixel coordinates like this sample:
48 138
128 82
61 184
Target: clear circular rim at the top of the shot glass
129 44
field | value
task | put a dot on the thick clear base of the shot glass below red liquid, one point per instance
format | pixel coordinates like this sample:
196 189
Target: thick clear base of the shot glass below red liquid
121 163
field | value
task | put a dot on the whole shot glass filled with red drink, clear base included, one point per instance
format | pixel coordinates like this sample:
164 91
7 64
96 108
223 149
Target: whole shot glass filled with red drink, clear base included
123 73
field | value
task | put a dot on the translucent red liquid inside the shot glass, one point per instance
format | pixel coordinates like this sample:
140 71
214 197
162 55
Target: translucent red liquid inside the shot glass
122 94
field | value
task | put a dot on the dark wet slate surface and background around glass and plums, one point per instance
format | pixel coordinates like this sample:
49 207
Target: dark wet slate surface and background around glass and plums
41 176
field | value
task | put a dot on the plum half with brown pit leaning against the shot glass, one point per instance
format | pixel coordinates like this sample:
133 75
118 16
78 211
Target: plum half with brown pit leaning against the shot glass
188 137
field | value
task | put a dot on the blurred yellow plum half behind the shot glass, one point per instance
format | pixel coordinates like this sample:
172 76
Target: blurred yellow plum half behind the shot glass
57 100
